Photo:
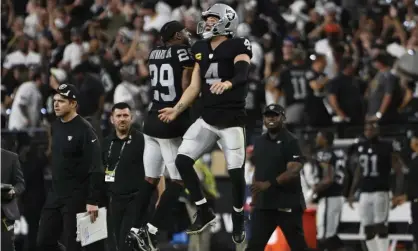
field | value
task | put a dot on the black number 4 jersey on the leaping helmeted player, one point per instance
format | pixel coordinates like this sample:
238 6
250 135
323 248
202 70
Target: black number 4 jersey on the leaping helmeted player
227 109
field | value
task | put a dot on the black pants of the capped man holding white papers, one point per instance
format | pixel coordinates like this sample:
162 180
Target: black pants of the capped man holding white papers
58 223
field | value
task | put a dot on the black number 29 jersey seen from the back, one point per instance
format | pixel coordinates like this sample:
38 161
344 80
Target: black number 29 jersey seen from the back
166 65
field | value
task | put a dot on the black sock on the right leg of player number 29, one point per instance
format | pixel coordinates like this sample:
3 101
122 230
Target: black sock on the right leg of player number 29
168 199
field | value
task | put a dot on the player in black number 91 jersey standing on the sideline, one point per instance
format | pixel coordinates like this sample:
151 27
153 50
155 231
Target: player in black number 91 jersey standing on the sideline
374 158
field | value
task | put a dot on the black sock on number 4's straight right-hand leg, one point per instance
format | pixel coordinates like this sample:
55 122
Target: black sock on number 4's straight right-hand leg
237 178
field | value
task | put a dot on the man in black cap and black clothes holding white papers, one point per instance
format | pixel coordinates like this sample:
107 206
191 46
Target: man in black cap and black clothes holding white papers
77 176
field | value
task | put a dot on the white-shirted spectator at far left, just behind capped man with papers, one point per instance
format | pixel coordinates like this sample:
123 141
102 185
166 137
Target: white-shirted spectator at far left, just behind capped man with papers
26 107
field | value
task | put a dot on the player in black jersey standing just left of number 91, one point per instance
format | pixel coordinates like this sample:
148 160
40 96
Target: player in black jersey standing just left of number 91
329 173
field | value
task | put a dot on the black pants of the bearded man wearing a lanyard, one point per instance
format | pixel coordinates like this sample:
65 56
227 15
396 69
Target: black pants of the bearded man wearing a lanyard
122 215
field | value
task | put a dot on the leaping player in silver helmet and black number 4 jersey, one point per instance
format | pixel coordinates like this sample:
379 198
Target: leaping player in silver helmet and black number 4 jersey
220 75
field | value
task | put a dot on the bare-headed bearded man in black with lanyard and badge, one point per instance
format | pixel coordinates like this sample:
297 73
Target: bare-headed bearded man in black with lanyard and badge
123 152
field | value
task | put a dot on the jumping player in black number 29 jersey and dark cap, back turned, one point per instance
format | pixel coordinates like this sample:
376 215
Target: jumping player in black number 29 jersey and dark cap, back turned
170 67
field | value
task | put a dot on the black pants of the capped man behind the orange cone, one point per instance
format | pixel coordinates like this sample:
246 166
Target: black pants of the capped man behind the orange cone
264 222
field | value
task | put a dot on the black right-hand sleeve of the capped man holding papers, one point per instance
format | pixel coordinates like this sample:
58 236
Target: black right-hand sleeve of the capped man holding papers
93 163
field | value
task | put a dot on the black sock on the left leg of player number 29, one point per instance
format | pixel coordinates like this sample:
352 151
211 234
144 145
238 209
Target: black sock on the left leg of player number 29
142 202
